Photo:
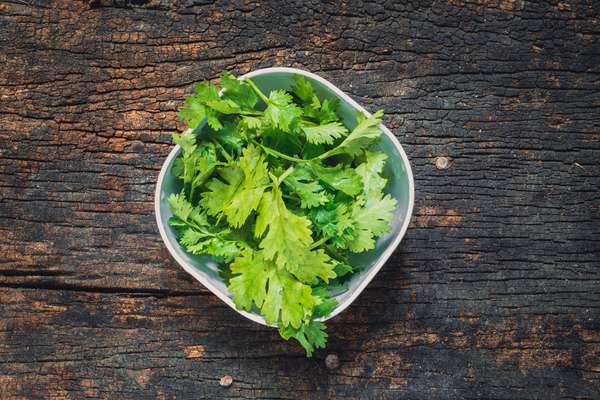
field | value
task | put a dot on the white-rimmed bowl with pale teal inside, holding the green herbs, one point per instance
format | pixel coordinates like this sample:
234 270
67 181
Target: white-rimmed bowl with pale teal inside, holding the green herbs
400 186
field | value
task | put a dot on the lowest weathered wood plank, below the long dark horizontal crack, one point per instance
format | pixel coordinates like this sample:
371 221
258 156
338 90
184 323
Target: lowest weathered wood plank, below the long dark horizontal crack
111 345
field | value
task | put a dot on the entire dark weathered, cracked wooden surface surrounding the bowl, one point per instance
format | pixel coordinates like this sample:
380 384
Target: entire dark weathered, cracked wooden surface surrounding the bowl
494 293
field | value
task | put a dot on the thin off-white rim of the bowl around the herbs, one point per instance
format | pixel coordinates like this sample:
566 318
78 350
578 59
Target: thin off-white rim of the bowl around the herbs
374 269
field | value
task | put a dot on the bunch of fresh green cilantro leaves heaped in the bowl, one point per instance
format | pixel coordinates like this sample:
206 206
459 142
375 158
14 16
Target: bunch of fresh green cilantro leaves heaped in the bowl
281 193
